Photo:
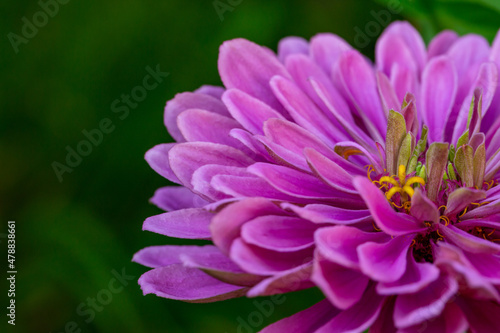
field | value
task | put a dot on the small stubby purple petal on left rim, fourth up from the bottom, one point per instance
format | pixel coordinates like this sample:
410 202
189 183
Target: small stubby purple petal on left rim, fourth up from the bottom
171 198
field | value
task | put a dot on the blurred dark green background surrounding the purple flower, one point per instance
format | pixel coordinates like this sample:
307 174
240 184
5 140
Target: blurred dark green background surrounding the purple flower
72 234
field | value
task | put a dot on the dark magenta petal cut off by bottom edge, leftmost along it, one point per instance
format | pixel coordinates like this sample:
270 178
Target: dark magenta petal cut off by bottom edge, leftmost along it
306 321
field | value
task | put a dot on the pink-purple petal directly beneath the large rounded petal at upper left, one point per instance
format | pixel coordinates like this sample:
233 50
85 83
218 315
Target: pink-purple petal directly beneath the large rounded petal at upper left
250 112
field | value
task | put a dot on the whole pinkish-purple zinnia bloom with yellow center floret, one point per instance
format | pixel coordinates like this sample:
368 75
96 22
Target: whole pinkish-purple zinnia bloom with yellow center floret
376 182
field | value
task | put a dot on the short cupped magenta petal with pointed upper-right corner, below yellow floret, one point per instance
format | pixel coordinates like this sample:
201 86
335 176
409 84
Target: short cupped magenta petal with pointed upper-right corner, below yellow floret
385 262
